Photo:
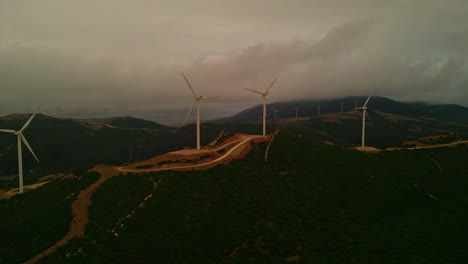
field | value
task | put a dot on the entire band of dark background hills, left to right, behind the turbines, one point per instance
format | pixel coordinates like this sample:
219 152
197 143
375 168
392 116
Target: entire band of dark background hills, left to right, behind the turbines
77 144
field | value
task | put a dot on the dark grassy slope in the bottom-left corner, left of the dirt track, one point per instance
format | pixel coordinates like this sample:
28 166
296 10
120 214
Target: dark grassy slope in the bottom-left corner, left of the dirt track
35 220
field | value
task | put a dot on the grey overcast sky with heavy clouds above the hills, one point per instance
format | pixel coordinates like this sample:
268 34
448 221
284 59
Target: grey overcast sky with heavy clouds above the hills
127 54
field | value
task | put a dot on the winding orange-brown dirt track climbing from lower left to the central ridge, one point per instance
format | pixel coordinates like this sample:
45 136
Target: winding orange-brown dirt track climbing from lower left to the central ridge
81 205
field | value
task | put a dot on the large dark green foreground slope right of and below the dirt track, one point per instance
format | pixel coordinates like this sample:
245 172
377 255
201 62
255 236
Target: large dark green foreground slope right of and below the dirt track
322 203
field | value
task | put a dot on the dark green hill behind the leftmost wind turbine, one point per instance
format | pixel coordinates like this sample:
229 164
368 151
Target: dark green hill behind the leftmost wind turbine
68 145
